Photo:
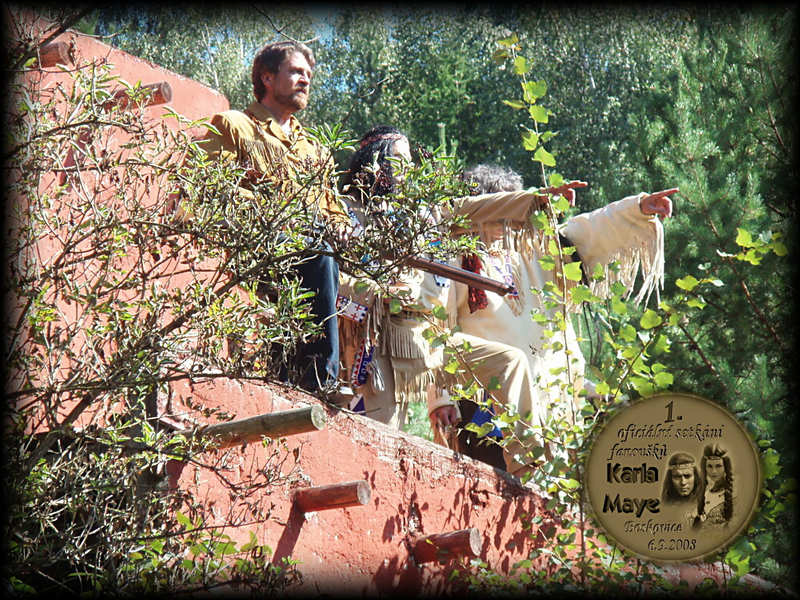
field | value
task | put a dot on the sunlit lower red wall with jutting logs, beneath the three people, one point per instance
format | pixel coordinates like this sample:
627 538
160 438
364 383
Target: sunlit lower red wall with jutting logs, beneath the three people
417 488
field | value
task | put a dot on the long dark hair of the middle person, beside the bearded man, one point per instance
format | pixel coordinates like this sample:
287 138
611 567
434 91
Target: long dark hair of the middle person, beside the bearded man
376 145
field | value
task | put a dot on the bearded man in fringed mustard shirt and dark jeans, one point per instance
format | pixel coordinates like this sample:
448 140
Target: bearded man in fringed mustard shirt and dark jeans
271 143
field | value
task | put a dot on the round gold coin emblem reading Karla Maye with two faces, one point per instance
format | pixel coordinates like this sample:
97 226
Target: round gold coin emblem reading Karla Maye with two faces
673 477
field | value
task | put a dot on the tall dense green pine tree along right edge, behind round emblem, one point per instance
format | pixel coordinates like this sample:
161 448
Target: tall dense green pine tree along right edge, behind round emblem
719 126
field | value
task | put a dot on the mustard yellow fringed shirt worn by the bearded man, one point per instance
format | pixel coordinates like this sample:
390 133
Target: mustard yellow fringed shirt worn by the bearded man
254 139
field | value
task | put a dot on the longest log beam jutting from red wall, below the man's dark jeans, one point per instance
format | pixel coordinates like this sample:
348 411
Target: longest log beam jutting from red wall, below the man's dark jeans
273 425
